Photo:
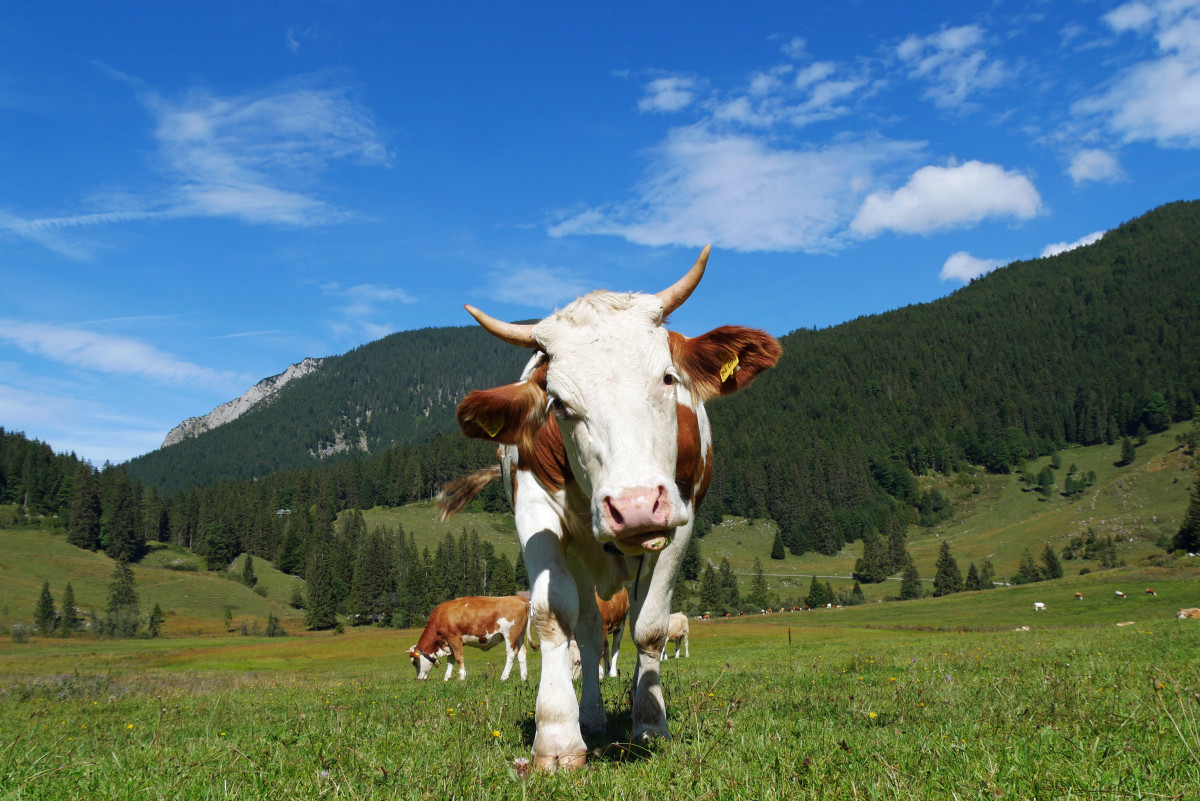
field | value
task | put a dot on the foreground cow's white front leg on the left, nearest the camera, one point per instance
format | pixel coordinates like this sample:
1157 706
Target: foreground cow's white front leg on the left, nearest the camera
555 606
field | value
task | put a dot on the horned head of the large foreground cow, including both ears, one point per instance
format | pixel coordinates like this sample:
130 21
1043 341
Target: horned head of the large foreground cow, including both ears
619 389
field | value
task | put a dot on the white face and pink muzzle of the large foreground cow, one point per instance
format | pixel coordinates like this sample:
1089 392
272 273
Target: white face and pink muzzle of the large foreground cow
613 389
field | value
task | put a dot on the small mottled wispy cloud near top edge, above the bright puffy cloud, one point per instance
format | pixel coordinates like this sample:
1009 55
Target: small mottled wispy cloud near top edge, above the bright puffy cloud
955 64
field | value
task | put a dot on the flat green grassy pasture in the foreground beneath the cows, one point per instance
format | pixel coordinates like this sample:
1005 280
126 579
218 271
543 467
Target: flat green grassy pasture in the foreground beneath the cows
862 703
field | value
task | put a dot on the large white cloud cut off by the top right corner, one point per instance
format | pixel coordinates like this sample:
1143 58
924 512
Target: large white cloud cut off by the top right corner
1157 100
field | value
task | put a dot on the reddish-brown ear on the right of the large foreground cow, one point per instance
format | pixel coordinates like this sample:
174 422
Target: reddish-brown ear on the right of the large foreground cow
724 360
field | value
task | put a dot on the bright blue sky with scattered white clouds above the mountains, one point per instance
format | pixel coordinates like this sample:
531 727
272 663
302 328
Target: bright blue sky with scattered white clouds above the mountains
195 196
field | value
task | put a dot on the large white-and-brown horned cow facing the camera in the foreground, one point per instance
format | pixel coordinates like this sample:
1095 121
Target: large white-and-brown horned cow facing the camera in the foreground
605 454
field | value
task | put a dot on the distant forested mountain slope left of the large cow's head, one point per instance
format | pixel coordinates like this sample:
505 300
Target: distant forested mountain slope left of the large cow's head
395 392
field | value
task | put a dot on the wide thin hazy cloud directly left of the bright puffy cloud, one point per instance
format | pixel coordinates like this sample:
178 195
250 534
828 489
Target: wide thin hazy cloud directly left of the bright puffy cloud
741 192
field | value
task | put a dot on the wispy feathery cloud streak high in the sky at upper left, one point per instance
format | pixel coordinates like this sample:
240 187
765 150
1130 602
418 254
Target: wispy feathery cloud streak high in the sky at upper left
251 158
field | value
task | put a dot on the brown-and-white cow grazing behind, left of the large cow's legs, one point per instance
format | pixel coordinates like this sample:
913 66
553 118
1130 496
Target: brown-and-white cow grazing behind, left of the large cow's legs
482 623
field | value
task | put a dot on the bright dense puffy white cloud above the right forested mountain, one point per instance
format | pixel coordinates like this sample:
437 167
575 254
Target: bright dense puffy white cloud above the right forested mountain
946 197
